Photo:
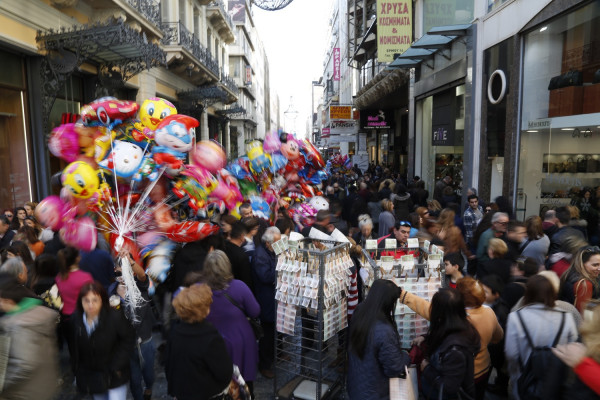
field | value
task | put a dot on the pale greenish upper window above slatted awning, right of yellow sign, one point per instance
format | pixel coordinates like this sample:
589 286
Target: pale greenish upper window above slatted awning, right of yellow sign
446 12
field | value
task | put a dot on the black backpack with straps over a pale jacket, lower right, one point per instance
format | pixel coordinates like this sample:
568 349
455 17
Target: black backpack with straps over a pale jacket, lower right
542 376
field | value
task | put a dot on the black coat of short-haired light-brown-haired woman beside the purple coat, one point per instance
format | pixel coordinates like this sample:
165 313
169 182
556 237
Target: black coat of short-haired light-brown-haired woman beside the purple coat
197 364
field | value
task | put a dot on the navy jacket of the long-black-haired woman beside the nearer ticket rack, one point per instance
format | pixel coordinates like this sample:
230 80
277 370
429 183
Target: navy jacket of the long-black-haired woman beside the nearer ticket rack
368 379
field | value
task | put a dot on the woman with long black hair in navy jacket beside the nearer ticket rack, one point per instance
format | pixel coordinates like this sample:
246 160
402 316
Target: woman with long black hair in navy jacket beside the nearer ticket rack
375 353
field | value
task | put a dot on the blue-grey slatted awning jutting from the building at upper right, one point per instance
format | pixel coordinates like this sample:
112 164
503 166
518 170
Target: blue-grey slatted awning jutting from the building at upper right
436 41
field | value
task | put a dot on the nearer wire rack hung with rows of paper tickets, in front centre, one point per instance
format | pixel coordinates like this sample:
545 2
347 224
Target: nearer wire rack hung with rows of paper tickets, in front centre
313 277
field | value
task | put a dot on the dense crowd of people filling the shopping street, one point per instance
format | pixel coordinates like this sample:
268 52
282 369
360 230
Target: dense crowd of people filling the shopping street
513 289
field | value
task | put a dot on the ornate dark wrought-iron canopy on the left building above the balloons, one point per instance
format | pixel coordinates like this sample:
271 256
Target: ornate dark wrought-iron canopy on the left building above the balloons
118 50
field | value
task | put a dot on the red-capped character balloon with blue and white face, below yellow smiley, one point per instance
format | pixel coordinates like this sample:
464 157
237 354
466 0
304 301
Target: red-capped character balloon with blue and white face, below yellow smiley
174 138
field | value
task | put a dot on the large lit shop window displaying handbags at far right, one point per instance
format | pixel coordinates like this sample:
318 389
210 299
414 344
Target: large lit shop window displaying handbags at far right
560 126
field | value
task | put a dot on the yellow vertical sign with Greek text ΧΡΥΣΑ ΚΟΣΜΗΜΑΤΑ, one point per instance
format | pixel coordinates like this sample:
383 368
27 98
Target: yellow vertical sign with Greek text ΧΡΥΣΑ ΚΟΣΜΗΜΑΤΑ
394 28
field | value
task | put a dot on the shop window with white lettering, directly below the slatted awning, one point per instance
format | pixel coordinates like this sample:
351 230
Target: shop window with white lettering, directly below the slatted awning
443 123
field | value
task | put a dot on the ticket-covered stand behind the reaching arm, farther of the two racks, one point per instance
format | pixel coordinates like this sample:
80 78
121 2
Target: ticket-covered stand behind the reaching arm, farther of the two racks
420 272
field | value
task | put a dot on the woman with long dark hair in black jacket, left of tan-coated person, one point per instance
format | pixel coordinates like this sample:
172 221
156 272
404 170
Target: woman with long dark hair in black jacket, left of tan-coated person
452 343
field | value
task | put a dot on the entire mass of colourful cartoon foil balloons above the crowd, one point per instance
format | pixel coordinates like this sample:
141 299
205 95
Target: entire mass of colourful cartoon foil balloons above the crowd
137 175
